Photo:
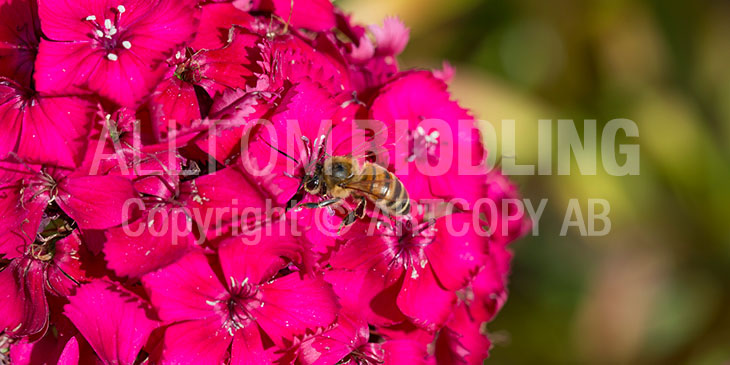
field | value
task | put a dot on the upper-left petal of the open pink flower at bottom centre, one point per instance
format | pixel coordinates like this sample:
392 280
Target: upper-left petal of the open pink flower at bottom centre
183 290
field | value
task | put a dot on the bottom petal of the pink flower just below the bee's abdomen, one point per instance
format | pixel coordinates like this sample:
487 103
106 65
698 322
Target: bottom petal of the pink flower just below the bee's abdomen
420 283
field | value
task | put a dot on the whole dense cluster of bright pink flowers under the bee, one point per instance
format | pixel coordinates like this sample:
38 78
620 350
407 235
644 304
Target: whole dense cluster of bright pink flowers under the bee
145 219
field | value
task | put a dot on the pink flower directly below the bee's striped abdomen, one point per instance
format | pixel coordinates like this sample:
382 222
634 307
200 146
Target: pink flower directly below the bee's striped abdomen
373 270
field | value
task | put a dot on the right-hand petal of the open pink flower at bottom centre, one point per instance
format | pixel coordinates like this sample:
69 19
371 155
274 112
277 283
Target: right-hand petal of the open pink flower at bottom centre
292 305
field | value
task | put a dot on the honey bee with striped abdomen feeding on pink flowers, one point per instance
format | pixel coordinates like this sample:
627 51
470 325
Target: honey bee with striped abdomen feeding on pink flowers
336 178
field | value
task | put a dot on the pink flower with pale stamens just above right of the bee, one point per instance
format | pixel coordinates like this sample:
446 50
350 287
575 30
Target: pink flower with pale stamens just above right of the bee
443 160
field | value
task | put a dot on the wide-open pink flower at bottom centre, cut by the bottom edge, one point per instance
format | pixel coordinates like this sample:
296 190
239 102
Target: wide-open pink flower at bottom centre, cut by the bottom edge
208 307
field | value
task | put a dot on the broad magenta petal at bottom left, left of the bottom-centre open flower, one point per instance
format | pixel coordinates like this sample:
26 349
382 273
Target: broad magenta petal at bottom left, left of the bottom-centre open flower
114 321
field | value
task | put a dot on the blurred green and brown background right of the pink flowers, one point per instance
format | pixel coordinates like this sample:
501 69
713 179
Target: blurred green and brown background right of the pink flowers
656 290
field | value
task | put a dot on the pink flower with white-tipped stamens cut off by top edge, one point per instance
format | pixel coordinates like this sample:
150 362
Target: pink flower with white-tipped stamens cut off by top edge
111 47
